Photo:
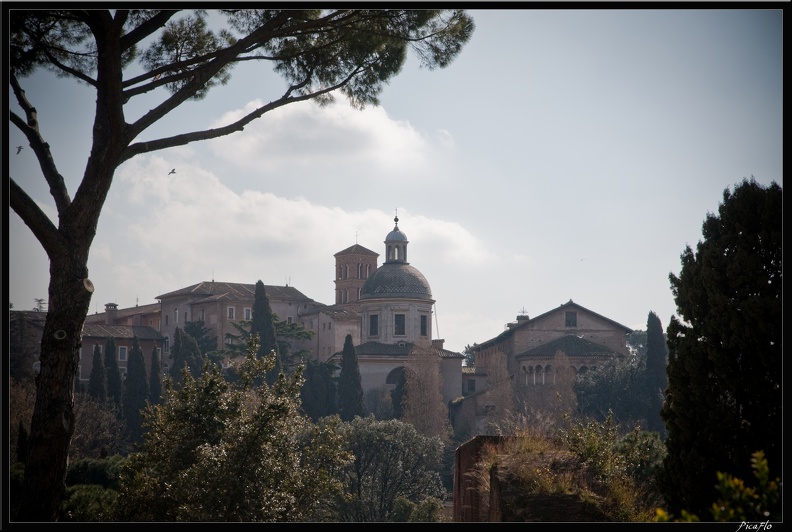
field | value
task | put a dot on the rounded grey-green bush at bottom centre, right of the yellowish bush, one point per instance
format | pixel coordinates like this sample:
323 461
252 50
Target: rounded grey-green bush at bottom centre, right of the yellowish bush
392 462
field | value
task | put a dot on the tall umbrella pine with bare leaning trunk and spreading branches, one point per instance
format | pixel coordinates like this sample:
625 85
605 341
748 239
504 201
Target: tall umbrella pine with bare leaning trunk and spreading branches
151 62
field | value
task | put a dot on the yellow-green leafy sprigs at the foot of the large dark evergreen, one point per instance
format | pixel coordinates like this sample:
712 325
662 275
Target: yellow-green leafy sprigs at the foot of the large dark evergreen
738 502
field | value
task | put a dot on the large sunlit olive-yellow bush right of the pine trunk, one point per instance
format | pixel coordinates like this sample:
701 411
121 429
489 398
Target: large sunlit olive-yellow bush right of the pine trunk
222 451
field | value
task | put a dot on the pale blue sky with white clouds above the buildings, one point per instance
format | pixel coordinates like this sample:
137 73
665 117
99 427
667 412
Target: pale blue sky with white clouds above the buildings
565 154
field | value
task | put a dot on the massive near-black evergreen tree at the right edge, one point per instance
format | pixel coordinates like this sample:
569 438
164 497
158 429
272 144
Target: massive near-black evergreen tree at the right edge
723 401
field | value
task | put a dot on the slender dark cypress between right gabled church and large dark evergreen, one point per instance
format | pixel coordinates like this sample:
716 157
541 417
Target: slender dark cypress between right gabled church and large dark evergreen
655 373
